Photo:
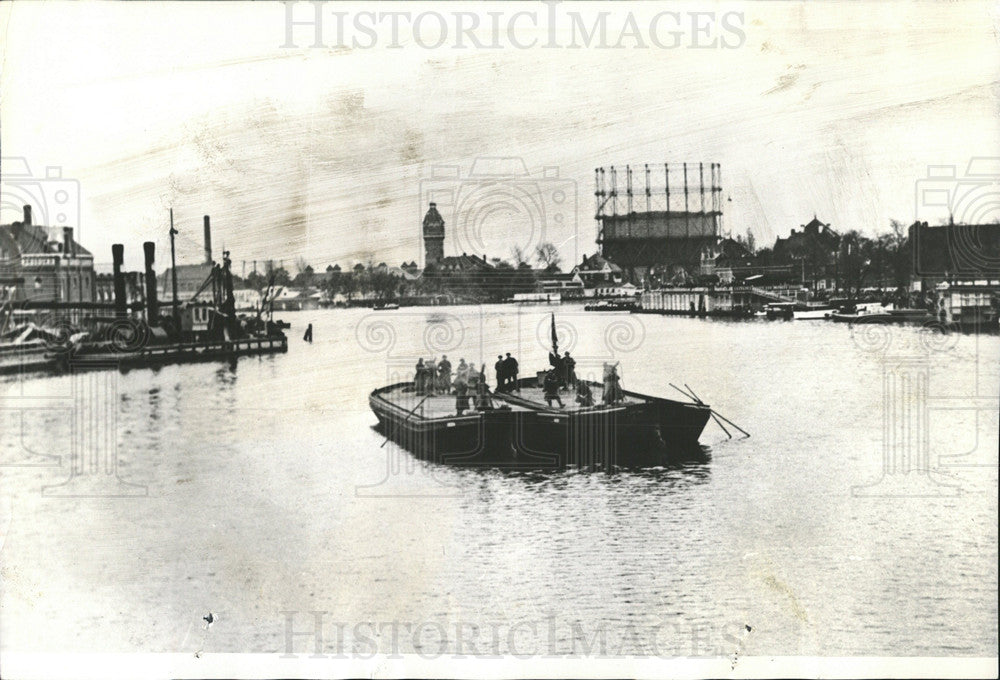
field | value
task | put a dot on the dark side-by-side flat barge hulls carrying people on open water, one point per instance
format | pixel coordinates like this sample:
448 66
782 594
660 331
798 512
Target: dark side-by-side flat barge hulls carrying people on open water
521 431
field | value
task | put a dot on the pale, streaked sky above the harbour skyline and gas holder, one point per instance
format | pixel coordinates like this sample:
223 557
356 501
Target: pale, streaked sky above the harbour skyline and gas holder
331 153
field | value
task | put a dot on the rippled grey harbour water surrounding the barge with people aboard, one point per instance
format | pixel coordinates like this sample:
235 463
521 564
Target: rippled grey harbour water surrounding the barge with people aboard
265 496
